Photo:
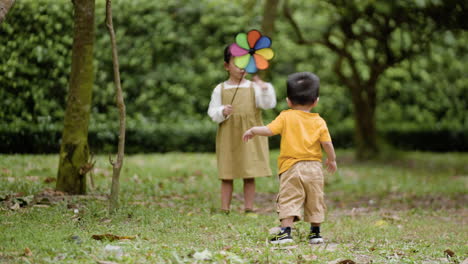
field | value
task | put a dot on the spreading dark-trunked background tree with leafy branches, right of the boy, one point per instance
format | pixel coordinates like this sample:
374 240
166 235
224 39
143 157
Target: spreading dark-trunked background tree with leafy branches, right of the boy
367 38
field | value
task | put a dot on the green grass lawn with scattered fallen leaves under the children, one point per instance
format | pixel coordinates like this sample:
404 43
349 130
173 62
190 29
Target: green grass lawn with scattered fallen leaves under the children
408 208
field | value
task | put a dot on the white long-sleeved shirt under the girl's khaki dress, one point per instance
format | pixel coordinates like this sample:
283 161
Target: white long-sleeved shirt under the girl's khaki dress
264 99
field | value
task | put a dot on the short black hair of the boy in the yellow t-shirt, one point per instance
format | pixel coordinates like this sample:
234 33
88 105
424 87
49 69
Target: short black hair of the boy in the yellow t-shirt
303 88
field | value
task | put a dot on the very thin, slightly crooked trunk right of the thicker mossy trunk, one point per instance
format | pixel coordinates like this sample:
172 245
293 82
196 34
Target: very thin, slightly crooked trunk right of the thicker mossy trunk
116 166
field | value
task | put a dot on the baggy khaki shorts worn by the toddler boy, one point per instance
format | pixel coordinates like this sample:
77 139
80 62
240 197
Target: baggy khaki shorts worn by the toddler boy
302 186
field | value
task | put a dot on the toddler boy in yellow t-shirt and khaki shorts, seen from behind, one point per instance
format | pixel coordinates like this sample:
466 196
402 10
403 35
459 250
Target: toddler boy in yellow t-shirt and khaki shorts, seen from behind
299 163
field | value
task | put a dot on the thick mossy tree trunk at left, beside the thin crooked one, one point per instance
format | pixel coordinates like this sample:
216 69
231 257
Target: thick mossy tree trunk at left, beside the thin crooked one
74 150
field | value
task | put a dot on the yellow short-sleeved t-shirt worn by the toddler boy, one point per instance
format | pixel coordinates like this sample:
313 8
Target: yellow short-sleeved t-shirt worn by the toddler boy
301 133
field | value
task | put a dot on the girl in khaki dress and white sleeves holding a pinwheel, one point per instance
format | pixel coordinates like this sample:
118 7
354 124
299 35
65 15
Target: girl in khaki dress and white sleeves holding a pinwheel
235 105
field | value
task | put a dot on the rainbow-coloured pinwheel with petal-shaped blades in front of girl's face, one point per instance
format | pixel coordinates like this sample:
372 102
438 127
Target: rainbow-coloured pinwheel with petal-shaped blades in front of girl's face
252 51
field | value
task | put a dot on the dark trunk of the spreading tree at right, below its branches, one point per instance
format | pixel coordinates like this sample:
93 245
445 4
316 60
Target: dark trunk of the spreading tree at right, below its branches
365 125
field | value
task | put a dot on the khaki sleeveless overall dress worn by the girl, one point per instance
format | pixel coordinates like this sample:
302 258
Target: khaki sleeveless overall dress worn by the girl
237 159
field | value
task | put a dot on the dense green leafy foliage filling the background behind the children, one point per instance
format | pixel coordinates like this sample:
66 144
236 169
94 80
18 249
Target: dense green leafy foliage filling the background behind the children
171 59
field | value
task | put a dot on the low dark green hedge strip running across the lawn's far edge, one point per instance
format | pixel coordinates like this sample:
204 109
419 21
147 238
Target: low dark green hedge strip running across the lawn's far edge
200 137
